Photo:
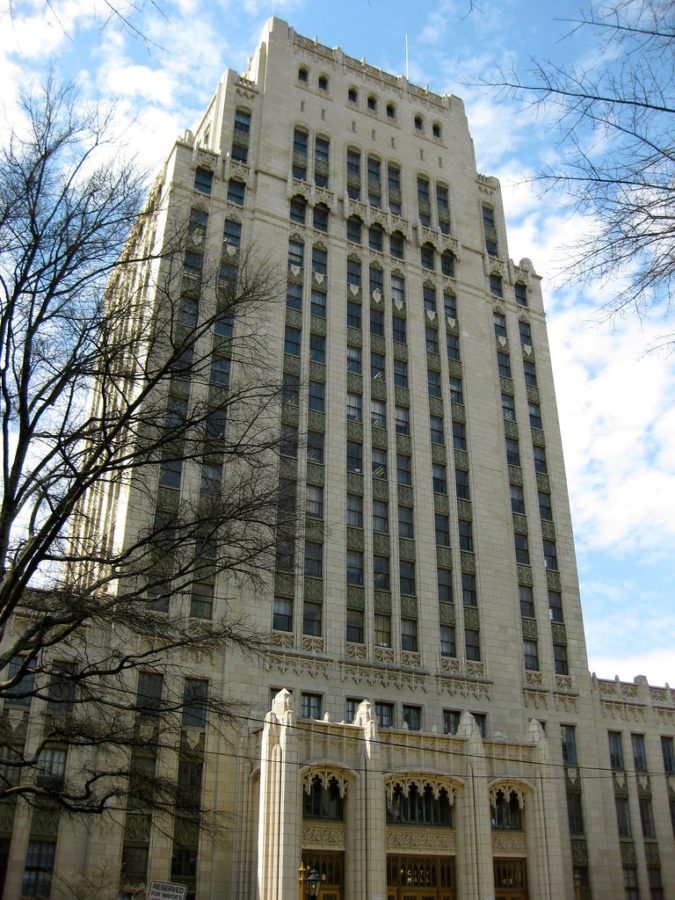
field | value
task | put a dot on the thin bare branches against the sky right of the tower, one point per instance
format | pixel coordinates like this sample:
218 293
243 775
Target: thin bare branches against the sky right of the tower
616 121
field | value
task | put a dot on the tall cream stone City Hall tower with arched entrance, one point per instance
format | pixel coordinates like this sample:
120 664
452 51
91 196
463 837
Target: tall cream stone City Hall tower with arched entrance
424 724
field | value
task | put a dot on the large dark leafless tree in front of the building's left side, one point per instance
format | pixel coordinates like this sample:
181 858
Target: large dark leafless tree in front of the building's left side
130 376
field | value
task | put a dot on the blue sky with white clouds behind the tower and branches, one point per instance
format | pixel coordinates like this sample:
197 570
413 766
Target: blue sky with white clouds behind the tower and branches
616 394
